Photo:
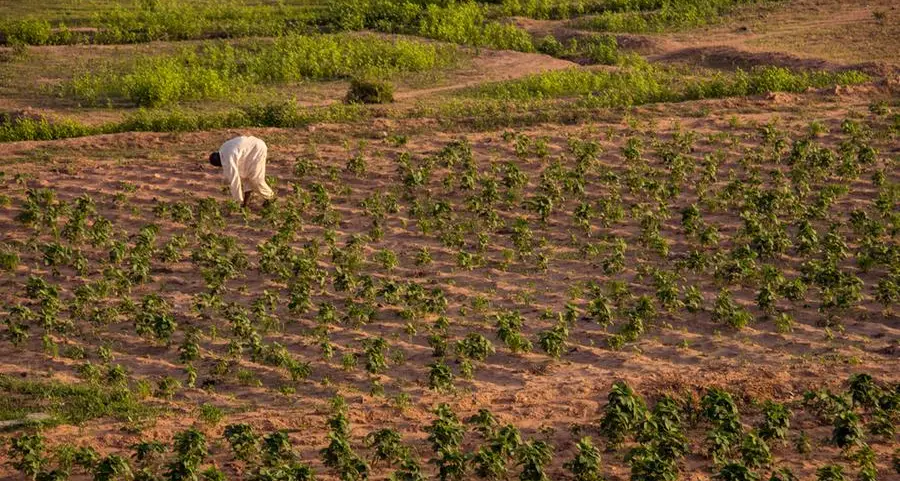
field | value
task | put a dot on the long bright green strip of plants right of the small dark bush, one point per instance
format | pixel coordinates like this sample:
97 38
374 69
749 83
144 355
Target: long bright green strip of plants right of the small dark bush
572 96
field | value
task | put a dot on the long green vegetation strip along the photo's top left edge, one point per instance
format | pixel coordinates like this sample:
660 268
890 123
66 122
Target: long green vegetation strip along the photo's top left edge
466 23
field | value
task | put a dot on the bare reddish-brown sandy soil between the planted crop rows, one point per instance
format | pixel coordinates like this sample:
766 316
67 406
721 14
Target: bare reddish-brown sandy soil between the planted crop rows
546 399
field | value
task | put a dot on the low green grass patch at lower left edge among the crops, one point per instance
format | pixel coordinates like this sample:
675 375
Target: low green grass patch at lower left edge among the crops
68 403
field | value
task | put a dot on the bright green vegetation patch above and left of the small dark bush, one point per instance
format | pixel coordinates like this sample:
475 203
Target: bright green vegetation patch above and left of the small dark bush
218 70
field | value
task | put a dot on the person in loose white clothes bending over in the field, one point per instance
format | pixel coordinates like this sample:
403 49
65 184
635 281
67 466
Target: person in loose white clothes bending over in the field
243 162
